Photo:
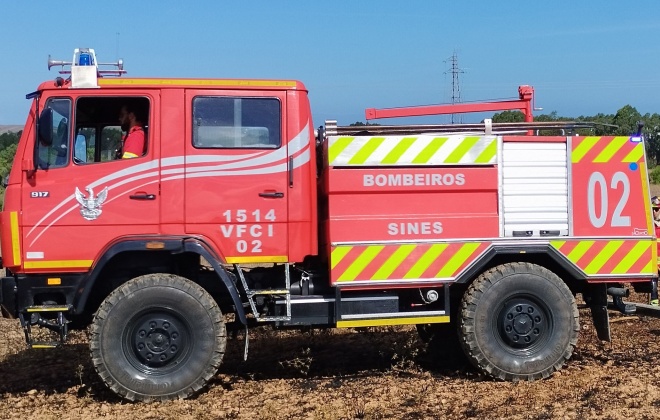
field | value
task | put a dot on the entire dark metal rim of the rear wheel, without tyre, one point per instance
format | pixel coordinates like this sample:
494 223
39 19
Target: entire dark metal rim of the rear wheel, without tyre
523 324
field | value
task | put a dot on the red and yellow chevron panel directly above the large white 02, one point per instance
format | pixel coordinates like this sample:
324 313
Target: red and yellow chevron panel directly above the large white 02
607 149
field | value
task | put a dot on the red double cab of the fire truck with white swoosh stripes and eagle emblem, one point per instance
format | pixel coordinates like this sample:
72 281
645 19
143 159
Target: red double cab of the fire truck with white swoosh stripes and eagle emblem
228 162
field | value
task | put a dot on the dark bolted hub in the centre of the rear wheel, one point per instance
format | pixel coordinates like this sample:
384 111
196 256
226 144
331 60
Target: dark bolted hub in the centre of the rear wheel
523 324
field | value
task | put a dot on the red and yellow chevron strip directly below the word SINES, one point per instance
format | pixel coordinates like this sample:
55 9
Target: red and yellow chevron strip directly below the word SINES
427 261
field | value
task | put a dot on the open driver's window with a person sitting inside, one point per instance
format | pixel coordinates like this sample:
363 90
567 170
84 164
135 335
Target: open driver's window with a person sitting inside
101 127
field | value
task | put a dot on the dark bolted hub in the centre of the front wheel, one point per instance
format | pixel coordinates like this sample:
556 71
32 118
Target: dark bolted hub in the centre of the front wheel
157 341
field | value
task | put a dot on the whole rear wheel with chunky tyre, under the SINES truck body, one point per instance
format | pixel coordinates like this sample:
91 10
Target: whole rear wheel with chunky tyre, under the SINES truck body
518 321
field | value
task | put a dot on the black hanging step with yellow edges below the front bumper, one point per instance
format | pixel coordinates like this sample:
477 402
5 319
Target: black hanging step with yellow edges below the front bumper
54 321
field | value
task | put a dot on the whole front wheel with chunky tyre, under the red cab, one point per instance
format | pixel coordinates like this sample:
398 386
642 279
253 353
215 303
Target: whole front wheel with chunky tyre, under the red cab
157 337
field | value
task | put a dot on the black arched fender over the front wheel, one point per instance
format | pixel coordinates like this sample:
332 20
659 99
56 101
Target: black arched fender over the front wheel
173 245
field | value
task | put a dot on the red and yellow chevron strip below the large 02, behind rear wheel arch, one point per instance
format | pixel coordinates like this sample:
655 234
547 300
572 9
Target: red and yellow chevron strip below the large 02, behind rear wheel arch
615 257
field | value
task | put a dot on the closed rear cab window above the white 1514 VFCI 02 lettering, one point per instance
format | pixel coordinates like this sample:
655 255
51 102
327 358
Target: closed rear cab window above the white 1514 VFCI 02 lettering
231 122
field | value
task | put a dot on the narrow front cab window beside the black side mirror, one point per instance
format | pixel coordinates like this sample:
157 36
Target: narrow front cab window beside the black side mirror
56 154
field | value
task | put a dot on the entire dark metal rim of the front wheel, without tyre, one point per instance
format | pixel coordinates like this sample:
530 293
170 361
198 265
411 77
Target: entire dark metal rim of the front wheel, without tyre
157 341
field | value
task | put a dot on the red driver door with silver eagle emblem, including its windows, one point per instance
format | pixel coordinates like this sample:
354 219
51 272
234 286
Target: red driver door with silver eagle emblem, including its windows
75 204
